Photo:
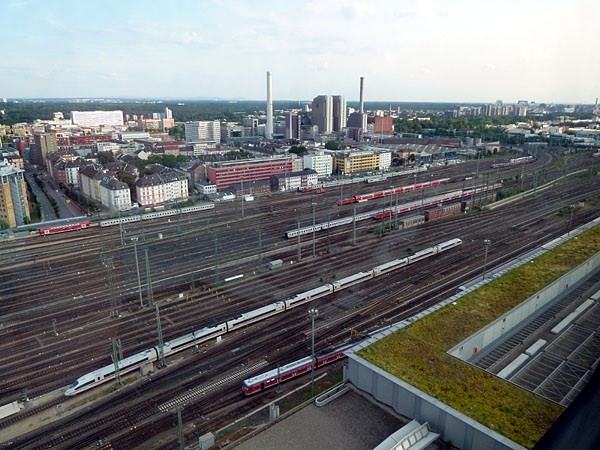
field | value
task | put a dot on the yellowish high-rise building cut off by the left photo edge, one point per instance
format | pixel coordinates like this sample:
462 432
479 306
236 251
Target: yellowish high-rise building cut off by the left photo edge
14 209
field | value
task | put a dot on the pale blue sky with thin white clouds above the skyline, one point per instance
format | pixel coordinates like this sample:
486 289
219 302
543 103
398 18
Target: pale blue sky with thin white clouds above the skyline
407 50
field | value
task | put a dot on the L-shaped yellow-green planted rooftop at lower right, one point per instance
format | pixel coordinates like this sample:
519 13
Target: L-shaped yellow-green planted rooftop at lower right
417 353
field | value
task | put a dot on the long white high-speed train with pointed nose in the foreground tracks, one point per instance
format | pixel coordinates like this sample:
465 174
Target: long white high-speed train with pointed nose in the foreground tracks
107 373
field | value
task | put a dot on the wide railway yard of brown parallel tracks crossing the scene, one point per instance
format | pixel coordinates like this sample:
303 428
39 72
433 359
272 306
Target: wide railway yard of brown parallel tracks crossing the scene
84 283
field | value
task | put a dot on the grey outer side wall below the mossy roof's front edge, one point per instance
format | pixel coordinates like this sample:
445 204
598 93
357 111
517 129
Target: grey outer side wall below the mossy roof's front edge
462 431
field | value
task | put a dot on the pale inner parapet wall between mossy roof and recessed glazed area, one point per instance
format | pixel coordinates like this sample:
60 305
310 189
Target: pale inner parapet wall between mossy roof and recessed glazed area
513 319
